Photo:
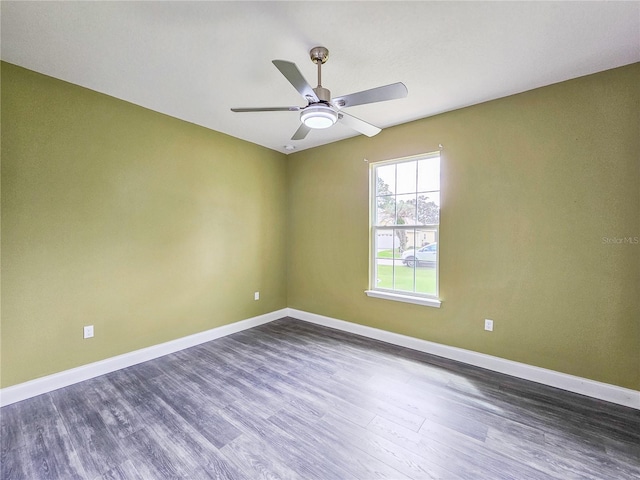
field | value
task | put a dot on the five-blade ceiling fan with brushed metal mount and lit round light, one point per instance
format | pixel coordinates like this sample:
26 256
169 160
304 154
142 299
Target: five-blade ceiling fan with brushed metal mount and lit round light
322 111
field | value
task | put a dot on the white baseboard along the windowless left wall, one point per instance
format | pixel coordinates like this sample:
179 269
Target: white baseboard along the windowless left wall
55 381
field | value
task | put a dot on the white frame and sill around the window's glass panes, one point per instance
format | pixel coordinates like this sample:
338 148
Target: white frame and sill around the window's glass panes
392 294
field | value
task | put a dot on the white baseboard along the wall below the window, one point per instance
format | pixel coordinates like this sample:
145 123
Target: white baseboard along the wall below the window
571 383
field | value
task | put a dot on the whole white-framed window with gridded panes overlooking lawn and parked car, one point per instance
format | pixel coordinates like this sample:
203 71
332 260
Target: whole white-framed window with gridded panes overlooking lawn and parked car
405 196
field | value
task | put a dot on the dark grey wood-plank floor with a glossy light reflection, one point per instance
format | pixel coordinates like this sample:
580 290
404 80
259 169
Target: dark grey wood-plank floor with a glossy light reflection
292 400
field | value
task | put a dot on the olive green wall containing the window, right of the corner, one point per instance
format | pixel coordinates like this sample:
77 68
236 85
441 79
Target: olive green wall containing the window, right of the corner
533 187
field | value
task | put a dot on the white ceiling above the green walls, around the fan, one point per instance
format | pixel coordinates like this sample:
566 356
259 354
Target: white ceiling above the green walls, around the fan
195 60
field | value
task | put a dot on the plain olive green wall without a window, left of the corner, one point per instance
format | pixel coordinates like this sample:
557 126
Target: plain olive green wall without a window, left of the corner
147 227
